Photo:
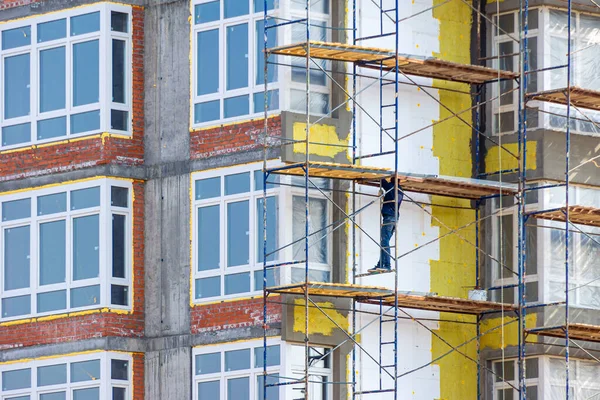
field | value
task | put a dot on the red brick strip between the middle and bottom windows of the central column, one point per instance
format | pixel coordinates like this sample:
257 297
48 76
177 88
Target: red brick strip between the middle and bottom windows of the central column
233 314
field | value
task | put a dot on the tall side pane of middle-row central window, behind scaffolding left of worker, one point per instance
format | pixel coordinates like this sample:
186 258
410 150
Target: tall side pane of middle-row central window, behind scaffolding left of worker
317 220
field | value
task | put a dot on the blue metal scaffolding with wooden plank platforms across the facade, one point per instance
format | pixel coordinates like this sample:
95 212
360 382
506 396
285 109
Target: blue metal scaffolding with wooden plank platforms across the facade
391 70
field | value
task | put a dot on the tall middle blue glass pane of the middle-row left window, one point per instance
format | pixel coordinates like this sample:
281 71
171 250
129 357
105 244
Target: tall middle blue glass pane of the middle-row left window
53 244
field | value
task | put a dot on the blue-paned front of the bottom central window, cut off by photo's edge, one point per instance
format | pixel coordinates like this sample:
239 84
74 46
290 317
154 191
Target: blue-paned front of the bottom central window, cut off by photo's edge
235 371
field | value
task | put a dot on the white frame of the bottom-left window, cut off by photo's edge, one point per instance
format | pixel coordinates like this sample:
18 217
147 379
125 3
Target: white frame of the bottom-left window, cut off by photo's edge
105 383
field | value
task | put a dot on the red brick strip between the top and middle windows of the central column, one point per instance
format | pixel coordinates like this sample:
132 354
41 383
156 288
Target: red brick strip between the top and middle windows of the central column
233 138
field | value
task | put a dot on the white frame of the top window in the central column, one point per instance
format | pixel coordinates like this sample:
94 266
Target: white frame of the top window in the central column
251 19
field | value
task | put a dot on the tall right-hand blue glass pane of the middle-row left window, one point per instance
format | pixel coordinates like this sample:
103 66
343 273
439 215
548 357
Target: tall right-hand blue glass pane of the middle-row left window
86 242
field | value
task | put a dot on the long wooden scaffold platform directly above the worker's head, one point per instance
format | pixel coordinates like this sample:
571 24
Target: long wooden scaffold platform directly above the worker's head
471 189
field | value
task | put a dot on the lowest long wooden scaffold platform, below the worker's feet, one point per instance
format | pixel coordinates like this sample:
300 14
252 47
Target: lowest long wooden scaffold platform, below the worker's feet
373 295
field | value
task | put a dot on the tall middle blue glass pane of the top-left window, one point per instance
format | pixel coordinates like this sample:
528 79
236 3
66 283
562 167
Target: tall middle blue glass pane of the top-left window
52 79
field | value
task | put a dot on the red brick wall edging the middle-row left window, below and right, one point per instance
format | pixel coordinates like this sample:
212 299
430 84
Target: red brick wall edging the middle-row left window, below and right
97 324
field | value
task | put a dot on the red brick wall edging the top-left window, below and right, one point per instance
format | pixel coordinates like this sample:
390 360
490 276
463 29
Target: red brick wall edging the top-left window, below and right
68 156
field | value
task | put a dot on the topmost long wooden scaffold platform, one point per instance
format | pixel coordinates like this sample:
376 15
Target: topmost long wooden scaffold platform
372 57
